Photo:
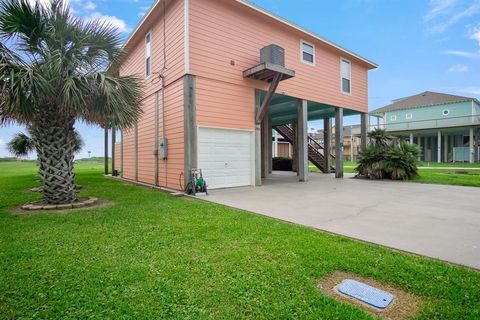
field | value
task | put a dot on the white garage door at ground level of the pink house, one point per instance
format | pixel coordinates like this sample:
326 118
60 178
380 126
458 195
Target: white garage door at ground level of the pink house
225 157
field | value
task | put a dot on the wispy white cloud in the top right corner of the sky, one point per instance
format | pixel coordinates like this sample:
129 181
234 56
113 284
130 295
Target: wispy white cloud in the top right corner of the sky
447 13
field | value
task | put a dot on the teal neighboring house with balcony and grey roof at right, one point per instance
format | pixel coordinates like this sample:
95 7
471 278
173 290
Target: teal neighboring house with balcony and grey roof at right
446 127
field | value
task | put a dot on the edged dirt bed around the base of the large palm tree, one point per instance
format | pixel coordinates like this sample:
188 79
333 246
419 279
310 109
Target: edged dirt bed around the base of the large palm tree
80 204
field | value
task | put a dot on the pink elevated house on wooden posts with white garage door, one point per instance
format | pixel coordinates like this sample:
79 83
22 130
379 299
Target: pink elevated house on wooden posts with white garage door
211 104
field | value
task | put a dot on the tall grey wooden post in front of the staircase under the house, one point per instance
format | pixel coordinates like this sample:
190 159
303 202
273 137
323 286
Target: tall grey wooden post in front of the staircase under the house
302 140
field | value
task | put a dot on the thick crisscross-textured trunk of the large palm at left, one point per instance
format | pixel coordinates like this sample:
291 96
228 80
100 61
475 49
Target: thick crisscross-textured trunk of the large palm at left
55 145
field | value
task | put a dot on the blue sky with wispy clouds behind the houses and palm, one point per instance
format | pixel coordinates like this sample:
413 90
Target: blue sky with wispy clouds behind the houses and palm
420 45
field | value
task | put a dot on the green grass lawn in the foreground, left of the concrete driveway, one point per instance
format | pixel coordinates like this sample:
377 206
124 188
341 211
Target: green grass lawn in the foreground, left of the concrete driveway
152 256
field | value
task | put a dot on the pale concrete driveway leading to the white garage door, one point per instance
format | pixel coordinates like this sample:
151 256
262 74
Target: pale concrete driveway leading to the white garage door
432 220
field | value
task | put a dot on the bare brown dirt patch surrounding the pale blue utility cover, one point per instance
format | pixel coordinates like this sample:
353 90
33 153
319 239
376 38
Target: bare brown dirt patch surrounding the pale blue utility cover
403 306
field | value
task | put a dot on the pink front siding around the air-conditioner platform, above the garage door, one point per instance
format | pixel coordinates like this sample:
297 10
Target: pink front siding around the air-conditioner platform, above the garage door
221 31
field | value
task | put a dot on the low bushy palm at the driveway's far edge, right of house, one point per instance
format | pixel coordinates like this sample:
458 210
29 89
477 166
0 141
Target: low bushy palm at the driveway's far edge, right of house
386 159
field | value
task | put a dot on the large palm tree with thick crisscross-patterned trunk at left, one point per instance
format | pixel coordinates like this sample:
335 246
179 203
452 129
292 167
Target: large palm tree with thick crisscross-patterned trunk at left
52 74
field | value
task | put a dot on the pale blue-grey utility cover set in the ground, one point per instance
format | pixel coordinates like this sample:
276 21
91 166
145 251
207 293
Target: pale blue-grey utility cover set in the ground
365 293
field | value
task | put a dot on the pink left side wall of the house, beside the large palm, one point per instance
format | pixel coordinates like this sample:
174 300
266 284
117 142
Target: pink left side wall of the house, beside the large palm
170 170
